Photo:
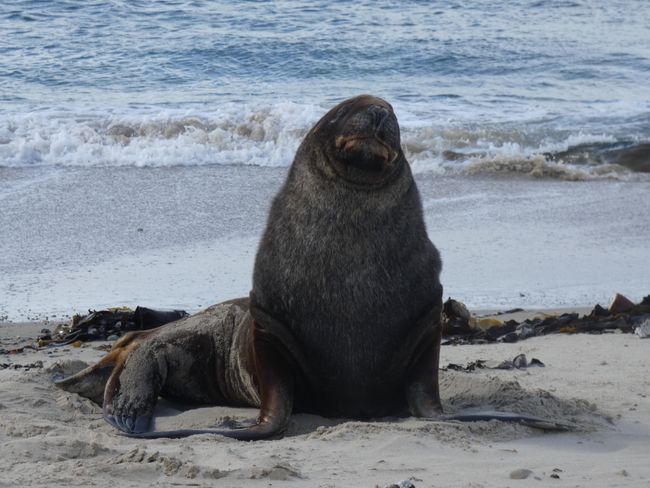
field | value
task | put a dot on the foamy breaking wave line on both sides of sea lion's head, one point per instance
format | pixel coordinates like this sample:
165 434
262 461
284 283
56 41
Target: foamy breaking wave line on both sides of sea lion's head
269 135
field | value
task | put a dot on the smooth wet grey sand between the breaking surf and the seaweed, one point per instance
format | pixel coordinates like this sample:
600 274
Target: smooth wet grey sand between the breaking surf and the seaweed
79 238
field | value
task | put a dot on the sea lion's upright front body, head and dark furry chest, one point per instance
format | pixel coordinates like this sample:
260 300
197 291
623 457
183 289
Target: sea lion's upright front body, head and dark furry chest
346 272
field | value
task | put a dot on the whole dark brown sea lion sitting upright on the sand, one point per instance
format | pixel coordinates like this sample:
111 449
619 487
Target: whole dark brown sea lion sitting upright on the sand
344 316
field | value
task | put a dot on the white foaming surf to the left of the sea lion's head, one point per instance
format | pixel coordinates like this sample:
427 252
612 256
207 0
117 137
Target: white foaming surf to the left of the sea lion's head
266 136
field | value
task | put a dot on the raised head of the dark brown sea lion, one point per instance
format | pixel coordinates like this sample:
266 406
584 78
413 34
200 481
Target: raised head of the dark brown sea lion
360 141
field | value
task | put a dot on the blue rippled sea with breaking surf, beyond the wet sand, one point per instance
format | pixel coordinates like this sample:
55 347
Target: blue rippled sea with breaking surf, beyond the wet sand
553 88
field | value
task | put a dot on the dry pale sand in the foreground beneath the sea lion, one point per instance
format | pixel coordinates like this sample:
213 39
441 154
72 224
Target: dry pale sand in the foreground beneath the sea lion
599 382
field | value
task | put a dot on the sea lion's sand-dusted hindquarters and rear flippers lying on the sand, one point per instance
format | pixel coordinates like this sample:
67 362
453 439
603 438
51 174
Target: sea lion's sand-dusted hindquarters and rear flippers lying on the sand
200 359
